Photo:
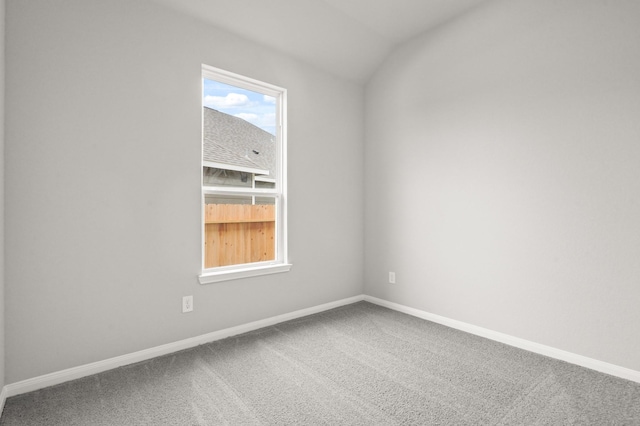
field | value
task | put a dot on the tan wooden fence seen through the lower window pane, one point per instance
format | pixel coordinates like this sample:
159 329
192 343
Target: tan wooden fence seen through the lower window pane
238 233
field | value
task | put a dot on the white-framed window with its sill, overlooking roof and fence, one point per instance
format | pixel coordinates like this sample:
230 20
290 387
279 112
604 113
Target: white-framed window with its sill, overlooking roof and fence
243 177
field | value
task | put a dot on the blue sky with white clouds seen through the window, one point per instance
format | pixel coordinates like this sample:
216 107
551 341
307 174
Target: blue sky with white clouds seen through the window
256 108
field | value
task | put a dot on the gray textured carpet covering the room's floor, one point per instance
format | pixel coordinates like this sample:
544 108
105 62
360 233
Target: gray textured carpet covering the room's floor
356 365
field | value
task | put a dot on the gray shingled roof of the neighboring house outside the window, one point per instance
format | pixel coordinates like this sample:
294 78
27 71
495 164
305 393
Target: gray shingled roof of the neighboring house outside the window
235 142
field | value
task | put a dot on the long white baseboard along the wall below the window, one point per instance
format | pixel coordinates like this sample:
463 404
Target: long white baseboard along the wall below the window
108 364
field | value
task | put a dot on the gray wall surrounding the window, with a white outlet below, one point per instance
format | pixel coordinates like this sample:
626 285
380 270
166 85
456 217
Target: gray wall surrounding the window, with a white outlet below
103 154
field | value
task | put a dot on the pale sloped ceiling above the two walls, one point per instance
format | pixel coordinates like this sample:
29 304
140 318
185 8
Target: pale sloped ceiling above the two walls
349 38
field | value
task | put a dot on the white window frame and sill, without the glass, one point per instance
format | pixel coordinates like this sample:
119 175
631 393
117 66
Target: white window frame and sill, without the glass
281 262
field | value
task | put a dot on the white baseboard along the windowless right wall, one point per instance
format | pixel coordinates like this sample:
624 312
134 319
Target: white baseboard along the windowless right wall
593 364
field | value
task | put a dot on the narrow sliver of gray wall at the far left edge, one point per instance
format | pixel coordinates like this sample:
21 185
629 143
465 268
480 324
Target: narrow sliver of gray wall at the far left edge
2 27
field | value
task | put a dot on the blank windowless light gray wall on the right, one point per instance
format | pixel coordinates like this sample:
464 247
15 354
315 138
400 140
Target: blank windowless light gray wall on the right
501 174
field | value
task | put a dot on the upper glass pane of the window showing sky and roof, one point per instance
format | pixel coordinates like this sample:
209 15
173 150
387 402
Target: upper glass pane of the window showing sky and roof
239 142
